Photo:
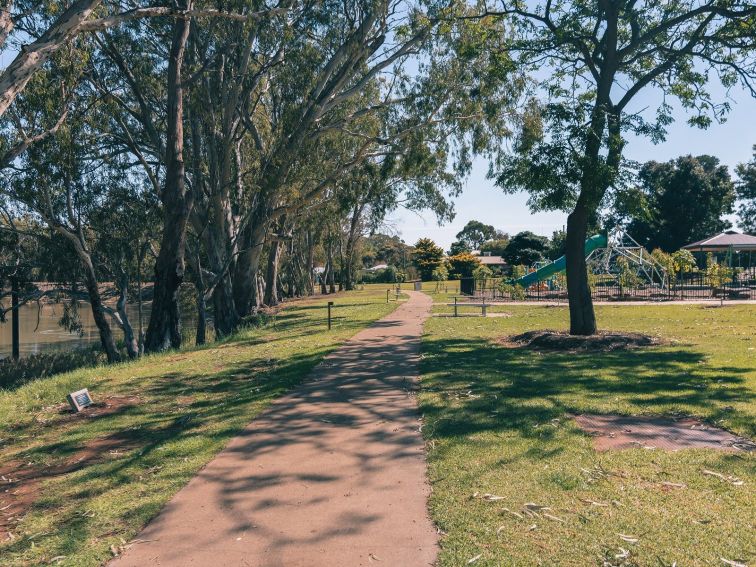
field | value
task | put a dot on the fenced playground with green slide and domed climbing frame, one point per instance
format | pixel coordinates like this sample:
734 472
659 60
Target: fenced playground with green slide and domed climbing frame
619 268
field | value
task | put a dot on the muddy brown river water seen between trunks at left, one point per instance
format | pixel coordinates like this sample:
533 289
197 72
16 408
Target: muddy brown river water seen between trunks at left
40 331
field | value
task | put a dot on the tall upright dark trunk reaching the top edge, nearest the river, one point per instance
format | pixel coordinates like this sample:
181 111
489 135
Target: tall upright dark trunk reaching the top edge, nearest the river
164 330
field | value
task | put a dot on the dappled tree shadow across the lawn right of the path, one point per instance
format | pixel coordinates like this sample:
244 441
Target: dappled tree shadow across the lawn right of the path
484 387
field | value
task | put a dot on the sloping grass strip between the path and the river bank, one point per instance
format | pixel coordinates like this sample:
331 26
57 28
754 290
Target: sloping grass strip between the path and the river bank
189 404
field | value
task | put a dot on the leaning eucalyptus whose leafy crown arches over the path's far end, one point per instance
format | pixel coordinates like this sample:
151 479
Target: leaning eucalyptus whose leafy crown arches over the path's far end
348 79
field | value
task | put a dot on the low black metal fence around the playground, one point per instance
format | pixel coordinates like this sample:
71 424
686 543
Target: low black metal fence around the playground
739 284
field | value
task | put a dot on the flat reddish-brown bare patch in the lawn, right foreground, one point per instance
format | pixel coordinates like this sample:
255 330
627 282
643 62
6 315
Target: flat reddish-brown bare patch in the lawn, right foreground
612 432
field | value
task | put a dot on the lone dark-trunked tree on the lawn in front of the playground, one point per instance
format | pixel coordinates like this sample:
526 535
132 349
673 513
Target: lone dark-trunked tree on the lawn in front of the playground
591 59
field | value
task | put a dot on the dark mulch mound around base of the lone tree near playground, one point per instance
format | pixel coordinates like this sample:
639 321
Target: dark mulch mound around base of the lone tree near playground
604 341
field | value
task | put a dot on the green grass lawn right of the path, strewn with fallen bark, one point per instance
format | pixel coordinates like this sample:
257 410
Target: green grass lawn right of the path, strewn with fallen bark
497 423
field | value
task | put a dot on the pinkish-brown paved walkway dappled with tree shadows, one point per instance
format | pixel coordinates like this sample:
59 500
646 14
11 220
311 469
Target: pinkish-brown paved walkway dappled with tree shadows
332 474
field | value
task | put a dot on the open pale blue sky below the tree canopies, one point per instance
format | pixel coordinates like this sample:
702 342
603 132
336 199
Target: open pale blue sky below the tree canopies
731 142
